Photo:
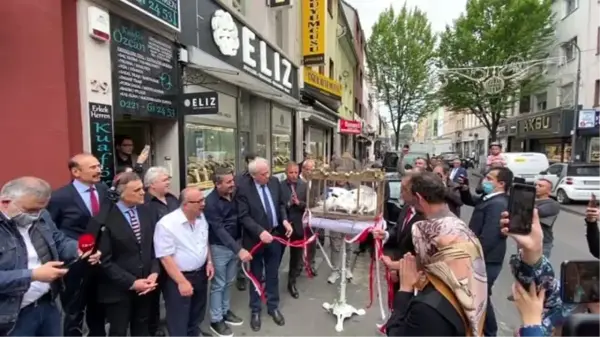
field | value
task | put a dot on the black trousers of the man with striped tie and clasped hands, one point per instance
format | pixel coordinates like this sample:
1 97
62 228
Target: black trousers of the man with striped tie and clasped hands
130 313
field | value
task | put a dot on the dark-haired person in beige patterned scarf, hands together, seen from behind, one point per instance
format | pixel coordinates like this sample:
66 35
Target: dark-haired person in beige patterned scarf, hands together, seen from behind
447 295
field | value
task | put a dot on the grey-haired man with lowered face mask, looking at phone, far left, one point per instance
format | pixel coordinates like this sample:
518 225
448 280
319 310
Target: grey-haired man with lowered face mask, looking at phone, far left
31 261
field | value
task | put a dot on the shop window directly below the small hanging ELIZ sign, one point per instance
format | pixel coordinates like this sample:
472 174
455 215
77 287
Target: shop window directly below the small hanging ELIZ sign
206 148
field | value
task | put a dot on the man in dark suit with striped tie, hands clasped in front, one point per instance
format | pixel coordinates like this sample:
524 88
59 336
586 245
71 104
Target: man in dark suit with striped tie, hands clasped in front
129 268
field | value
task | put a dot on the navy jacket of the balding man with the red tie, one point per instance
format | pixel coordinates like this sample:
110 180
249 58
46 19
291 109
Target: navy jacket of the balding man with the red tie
68 210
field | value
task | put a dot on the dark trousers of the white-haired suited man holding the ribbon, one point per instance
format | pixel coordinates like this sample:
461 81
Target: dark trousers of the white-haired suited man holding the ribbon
266 259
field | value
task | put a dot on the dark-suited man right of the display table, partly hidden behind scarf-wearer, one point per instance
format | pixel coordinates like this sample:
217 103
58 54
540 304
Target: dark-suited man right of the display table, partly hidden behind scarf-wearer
399 237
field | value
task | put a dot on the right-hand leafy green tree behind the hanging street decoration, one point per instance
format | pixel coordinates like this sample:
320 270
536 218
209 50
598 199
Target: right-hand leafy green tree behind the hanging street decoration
494 33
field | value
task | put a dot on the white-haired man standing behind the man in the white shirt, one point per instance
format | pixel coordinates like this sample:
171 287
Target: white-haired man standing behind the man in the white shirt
160 202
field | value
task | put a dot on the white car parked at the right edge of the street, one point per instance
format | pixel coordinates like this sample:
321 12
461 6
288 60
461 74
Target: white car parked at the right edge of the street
572 181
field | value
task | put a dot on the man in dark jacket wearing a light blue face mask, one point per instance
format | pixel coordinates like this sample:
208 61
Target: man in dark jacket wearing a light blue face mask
484 223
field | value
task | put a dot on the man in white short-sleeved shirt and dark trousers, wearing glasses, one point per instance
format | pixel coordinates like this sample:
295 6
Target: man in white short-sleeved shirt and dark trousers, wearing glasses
181 244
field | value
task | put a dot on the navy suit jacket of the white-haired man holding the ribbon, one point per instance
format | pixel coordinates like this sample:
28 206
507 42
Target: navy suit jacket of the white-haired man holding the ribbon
252 214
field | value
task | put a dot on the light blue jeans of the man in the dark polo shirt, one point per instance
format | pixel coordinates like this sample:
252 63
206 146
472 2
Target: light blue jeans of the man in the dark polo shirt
225 263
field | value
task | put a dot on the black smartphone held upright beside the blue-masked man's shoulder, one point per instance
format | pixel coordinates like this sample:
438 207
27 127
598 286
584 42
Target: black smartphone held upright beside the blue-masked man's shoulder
520 207
